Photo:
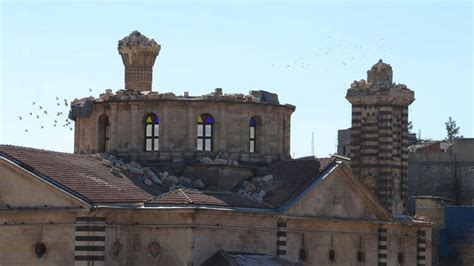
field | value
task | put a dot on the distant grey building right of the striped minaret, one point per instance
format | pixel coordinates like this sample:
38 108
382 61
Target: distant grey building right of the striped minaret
436 168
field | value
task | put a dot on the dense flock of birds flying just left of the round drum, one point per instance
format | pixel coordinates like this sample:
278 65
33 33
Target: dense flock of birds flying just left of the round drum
57 119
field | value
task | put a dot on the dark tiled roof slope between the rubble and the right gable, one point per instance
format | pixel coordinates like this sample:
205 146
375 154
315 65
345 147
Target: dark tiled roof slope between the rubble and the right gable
291 177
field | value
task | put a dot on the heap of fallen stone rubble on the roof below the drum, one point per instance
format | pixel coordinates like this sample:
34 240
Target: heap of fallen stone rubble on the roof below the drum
252 184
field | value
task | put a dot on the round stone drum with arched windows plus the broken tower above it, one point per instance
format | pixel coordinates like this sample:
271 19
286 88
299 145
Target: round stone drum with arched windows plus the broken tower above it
252 128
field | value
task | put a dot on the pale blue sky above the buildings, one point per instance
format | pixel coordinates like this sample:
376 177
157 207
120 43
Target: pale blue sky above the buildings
308 53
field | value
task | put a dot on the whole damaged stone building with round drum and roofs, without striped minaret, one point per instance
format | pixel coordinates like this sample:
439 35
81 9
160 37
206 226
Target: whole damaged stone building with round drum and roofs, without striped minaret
159 179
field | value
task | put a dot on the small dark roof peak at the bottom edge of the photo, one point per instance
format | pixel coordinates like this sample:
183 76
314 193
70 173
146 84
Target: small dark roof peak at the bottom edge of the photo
226 258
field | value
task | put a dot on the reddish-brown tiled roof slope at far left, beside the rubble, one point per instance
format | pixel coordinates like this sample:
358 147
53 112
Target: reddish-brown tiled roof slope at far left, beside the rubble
78 174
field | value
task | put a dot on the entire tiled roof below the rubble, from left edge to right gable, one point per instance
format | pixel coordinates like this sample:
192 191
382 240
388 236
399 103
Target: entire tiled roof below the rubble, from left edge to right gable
87 178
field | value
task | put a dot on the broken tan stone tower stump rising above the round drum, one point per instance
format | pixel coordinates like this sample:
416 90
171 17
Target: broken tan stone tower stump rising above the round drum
138 55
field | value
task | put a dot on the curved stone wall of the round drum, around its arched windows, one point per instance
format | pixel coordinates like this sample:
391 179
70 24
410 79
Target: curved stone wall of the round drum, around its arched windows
178 128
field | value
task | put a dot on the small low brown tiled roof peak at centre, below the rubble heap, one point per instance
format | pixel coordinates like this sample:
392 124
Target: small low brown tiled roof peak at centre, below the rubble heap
196 197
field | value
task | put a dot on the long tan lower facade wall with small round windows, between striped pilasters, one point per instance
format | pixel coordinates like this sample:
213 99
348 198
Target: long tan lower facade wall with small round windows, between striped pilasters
188 237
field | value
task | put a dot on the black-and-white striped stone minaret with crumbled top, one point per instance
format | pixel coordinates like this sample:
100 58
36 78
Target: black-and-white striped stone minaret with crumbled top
379 137
